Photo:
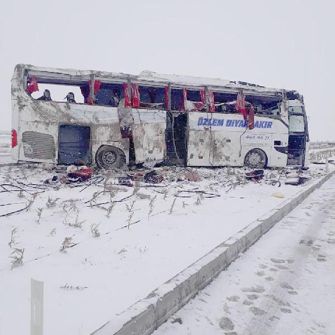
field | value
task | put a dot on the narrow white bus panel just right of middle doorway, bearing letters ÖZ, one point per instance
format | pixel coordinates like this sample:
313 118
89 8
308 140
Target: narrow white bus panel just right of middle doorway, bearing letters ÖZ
199 139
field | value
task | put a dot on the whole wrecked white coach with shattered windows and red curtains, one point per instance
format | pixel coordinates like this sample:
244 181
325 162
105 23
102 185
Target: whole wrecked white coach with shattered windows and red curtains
117 119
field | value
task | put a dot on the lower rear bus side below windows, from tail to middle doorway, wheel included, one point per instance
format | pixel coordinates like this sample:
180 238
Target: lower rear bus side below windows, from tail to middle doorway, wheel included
89 134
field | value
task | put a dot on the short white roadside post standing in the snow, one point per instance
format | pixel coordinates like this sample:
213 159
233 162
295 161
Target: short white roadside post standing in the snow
36 323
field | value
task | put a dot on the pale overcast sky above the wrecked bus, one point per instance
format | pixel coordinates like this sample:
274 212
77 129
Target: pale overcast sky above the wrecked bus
283 44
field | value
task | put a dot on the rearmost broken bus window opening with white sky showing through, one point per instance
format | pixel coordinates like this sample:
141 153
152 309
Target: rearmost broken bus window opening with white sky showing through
58 92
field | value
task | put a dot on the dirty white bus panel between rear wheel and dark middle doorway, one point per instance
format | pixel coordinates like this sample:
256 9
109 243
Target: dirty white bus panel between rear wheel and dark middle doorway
149 135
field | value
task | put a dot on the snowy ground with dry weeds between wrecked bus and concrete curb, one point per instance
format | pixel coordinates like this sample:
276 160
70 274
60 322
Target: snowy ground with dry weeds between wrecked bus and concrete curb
144 240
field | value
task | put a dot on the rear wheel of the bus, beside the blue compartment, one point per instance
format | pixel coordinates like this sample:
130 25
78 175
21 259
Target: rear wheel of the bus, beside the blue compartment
109 157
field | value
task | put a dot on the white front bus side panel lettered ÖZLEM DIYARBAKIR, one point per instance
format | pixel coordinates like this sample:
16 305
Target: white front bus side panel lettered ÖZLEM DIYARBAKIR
224 140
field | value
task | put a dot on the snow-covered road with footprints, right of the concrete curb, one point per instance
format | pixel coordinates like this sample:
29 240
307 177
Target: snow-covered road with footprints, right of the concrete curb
284 284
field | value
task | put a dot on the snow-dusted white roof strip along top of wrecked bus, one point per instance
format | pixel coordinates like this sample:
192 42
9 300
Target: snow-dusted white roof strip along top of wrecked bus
150 76
